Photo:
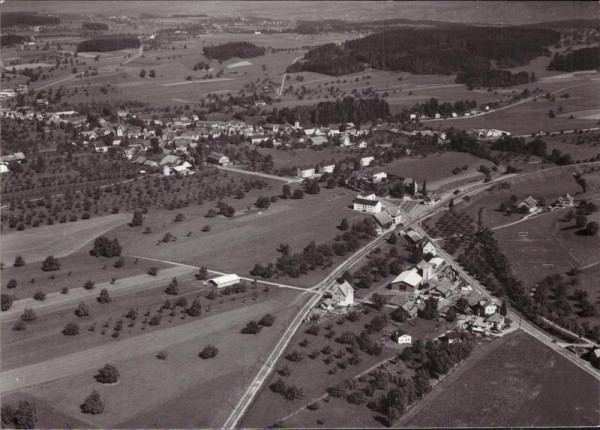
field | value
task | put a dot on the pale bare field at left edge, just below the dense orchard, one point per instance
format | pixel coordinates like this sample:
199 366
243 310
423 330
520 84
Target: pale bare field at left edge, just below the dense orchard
59 240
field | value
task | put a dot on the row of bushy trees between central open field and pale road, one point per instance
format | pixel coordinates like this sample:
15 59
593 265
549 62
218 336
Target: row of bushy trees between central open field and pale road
313 256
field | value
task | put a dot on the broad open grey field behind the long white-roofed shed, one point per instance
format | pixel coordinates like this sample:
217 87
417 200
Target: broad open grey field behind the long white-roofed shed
235 245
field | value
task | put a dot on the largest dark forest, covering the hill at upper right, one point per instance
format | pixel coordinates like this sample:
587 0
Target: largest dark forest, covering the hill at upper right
445 50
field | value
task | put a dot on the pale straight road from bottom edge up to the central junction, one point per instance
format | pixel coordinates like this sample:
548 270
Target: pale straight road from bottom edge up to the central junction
265 370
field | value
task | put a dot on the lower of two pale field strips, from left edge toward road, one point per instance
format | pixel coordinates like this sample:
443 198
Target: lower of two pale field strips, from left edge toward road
71 364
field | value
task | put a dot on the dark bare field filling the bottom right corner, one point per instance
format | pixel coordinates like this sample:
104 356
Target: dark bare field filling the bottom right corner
522 383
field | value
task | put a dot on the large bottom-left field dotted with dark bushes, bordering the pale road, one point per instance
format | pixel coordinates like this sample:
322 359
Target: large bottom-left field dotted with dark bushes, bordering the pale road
185 380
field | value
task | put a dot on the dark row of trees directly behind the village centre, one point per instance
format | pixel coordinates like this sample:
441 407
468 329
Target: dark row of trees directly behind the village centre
348 109
